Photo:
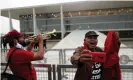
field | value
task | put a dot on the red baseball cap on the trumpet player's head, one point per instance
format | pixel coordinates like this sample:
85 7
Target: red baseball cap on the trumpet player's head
13 34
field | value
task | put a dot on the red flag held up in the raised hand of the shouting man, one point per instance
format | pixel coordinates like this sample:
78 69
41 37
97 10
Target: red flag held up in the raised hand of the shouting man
111 48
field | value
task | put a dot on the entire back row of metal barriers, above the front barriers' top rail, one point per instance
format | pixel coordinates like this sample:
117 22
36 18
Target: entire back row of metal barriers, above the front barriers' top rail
62 56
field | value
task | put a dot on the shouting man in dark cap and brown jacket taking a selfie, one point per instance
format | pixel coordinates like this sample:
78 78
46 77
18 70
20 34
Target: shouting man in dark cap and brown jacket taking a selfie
88 70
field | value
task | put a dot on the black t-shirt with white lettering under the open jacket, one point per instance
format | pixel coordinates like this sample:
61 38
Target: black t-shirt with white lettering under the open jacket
97 71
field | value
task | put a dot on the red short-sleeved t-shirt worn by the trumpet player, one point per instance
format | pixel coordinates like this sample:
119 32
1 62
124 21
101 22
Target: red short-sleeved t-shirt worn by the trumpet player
20 61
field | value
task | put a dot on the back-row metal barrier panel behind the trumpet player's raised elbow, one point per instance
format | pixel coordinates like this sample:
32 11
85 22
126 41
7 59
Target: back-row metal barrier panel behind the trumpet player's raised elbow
53 56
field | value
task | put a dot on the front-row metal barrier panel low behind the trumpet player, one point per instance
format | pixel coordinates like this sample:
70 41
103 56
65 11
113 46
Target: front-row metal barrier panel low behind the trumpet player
43 71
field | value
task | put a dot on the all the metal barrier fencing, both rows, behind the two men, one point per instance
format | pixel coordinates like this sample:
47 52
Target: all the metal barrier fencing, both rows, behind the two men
46 71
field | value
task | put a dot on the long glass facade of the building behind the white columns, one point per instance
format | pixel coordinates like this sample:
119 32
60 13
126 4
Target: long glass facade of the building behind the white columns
121 18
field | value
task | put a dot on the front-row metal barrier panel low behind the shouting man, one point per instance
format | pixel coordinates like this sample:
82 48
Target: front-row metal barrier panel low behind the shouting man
67 72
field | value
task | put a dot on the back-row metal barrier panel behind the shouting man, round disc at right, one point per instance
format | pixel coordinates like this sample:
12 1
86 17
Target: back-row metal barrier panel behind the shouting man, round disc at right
125 54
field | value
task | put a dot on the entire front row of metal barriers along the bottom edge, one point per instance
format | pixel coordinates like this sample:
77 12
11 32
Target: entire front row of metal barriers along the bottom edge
67 72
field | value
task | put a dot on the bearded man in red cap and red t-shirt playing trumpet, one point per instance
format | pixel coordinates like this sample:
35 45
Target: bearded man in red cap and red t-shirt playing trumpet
21 59
